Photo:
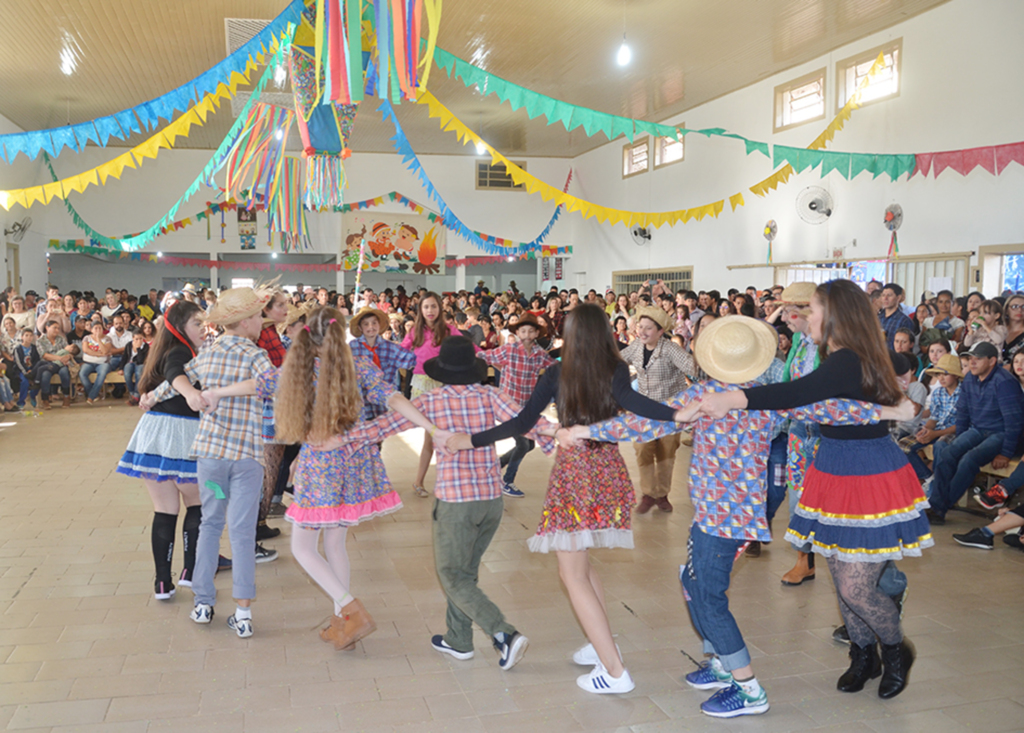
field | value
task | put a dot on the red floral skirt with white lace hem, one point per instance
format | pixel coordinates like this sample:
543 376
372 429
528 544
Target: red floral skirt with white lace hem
589 503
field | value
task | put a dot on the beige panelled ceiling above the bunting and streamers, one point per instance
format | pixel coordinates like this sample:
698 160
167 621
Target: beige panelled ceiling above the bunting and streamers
686 53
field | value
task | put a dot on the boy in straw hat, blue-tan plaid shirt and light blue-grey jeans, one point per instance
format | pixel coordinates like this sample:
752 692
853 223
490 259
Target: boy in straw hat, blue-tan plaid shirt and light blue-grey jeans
229 449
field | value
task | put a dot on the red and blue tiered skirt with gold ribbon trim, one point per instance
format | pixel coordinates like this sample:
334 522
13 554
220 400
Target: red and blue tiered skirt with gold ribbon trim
862 503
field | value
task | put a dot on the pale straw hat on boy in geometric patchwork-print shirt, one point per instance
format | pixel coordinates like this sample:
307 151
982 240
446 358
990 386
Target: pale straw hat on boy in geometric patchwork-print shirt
737 349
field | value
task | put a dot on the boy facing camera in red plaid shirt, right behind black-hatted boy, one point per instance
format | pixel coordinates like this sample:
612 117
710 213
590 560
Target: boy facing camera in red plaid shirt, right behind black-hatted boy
521 365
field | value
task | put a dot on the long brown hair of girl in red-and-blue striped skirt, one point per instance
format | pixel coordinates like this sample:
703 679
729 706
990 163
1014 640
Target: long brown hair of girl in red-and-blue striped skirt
850 324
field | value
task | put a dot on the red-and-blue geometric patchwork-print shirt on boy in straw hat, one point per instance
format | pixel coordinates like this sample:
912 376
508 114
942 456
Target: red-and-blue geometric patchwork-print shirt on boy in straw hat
731 456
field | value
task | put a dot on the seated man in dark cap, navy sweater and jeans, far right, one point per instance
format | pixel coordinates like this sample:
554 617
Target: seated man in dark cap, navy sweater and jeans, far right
989 425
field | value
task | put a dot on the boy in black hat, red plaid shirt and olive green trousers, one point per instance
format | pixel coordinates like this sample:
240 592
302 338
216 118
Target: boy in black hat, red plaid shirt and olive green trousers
468 495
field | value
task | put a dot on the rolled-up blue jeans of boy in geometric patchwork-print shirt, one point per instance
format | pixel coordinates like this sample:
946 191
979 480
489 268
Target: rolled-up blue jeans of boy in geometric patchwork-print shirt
706 579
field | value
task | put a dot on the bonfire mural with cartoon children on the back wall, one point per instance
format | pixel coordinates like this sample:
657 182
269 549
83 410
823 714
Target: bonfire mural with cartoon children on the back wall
412 243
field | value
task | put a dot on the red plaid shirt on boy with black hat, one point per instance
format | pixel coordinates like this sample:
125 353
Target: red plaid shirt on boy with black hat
470 476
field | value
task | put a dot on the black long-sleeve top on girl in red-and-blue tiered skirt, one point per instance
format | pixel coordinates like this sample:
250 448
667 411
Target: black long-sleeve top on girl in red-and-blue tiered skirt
839 376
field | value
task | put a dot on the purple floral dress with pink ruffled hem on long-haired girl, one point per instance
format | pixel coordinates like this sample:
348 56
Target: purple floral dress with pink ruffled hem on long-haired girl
331 491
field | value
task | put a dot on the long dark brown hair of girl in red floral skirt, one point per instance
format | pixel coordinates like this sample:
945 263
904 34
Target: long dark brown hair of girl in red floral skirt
590 358
